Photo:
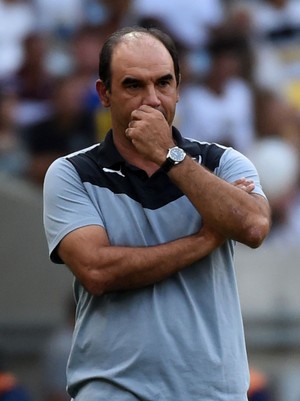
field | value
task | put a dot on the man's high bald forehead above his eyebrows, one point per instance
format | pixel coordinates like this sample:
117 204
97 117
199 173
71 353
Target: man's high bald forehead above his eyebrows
141 52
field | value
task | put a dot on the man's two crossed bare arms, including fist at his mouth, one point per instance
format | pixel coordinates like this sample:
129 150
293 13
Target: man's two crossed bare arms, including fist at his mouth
228 211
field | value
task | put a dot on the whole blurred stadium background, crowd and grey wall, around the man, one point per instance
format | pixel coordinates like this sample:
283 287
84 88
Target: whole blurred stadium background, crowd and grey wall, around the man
247 53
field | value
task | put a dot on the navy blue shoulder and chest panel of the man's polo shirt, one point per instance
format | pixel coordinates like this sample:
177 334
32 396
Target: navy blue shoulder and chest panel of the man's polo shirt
120 178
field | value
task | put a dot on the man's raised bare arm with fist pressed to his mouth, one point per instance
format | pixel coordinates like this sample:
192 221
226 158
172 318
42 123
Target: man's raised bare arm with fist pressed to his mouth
233 213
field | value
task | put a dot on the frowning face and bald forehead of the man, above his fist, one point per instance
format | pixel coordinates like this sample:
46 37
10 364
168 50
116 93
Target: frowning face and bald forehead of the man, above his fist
142 73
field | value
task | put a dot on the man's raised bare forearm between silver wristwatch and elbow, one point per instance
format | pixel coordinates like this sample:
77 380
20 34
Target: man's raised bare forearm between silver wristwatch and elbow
234 213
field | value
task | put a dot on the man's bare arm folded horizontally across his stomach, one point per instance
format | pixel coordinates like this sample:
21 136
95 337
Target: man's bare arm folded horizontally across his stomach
103 268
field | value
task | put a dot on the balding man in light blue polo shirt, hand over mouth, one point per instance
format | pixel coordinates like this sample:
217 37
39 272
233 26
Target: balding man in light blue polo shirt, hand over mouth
146 221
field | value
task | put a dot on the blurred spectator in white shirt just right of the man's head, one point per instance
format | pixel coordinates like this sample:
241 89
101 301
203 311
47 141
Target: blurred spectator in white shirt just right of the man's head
220 108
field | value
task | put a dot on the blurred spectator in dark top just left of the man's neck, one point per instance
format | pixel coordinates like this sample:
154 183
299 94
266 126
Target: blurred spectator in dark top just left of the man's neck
69 128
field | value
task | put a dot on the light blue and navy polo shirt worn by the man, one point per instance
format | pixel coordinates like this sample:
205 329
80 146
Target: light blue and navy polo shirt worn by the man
179 340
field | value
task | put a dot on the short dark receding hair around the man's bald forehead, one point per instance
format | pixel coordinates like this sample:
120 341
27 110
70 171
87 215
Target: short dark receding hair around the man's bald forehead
116 37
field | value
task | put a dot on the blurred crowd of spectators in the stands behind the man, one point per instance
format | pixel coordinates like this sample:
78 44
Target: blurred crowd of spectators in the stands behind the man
240 62
